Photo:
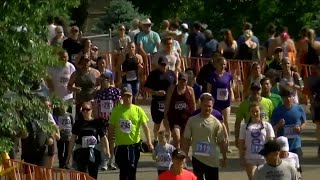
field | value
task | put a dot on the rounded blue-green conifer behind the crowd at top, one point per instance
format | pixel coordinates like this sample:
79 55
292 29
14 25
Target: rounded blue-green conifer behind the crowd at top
118 12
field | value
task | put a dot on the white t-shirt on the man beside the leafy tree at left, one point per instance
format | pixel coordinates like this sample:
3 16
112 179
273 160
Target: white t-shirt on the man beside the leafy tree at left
60 77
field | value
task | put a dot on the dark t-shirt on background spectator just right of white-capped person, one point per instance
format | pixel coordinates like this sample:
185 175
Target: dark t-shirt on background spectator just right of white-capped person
196 40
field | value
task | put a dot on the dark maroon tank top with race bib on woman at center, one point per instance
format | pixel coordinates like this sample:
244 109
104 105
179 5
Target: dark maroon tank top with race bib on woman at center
181 106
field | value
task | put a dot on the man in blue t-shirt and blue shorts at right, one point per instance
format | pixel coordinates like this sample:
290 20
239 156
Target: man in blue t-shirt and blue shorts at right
289 120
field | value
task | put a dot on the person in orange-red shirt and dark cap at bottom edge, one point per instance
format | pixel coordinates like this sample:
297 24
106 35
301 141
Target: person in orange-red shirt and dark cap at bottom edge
177 171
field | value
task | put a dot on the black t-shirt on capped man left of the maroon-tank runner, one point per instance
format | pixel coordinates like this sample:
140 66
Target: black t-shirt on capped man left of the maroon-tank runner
158 80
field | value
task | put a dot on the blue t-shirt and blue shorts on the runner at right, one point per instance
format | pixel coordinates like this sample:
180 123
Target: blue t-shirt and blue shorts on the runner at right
293 116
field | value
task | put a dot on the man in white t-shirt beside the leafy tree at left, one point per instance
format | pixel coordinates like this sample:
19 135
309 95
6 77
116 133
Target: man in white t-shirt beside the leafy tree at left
59 77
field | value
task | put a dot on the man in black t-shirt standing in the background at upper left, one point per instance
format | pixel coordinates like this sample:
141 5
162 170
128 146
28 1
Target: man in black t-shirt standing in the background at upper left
72 45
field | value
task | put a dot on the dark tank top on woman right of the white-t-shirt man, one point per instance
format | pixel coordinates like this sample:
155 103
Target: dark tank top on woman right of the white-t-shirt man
87 82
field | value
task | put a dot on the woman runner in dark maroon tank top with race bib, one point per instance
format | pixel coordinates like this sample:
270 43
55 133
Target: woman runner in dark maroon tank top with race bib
179 105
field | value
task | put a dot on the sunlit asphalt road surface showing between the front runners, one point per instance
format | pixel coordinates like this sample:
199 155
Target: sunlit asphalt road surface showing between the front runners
310 162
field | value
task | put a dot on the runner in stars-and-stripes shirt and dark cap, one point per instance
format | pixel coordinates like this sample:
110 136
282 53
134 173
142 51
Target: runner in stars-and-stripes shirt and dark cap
105 100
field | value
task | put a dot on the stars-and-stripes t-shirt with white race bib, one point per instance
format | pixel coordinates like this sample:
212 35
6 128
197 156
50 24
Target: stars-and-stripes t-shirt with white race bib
106 99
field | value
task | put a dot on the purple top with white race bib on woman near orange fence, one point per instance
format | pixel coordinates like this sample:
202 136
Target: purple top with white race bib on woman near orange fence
221 90
